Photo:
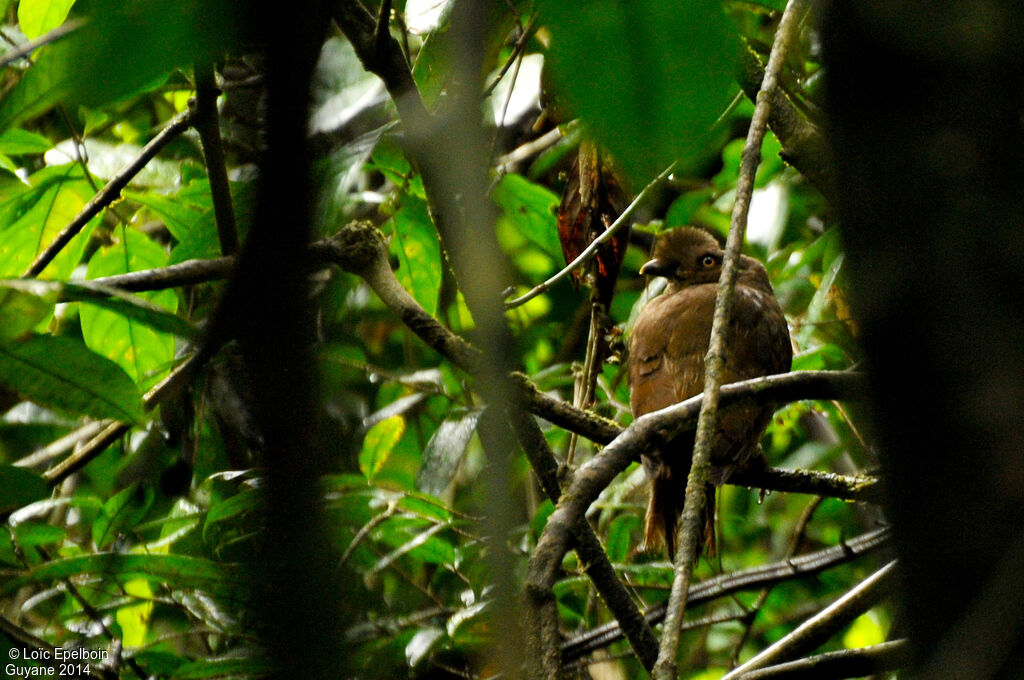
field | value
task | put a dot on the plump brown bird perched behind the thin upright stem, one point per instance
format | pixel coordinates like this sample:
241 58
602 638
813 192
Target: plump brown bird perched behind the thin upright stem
667 362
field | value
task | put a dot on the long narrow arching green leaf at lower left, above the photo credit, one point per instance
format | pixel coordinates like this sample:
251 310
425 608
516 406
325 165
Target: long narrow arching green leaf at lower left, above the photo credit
176 571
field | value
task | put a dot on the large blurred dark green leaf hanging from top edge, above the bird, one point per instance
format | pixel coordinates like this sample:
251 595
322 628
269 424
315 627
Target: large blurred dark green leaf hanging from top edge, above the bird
649 78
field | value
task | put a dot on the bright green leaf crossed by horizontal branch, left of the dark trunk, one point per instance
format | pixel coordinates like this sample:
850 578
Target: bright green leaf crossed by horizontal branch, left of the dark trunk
142 352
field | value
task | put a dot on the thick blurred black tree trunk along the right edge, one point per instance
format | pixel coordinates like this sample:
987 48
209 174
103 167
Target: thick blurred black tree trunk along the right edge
926 122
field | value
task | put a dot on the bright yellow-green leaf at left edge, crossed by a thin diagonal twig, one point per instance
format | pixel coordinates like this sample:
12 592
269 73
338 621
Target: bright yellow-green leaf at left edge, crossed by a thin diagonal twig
47 212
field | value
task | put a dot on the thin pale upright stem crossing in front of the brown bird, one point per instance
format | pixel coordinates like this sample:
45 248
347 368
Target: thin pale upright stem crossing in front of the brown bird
666 668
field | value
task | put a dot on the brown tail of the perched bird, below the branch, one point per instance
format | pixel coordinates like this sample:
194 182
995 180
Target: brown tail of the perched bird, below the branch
664 509
